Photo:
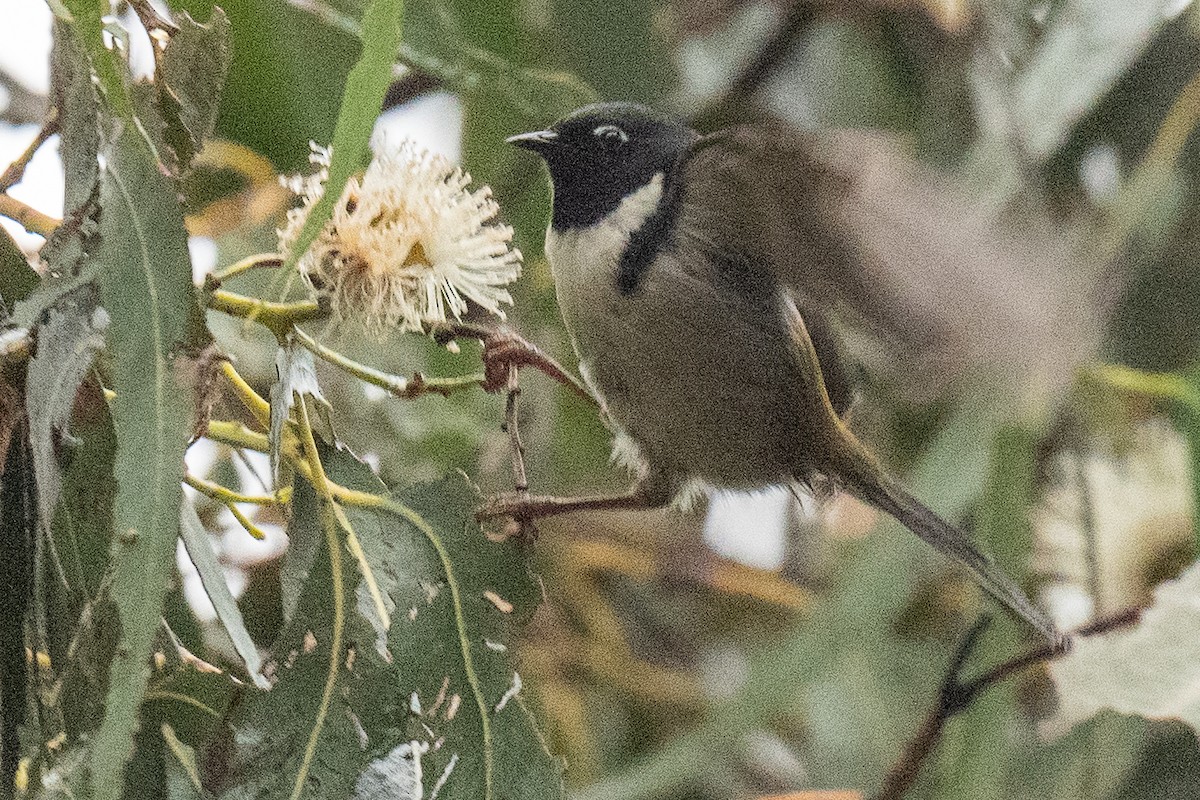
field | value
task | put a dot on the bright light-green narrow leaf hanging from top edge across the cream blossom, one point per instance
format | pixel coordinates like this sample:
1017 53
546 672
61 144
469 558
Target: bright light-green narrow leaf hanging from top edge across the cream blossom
362 101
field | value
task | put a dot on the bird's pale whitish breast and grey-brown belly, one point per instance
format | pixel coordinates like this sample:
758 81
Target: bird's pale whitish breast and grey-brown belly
698 377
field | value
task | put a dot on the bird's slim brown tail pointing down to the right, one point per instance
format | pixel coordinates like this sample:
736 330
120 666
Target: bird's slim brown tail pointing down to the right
868 482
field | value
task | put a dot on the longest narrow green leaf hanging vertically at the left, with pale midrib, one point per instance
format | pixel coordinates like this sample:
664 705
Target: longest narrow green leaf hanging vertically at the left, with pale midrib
147 290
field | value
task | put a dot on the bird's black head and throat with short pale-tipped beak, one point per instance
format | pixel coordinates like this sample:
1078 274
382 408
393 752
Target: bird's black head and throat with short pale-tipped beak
601 154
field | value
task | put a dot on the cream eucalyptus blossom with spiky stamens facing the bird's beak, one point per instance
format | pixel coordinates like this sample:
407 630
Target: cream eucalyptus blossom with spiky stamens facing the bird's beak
409 243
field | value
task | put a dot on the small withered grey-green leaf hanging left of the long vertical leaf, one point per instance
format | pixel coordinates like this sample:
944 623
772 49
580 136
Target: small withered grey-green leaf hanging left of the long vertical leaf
68 344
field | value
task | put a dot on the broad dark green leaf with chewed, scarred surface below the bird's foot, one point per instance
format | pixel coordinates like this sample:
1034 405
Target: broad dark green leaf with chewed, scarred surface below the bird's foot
436 699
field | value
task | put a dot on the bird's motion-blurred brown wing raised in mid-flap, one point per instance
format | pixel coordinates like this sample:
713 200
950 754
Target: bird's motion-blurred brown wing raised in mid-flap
939 284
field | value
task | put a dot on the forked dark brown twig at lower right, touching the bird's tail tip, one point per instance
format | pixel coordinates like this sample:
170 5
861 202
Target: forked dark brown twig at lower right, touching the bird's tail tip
957 696
